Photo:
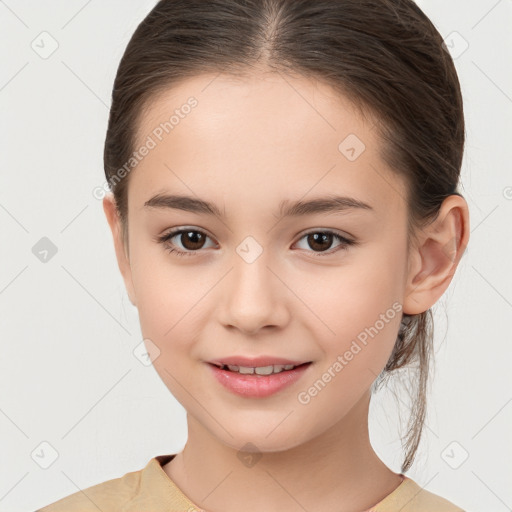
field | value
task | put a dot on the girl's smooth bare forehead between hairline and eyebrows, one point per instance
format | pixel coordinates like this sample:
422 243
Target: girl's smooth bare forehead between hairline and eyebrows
267 135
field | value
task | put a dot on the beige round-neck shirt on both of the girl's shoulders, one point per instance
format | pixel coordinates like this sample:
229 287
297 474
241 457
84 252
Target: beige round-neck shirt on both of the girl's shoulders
151 490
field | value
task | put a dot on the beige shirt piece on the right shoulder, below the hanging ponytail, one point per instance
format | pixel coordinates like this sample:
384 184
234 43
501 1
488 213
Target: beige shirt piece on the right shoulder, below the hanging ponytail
410 497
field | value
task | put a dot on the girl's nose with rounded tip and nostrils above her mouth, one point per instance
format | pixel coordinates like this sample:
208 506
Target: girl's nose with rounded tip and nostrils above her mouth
254 297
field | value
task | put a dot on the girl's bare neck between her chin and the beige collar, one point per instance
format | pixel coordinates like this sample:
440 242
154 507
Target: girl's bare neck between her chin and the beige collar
338 470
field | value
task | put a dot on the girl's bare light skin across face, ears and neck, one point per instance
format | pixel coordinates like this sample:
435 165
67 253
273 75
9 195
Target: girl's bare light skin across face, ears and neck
248 145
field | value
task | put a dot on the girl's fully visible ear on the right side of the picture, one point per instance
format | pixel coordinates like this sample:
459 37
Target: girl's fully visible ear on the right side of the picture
436 255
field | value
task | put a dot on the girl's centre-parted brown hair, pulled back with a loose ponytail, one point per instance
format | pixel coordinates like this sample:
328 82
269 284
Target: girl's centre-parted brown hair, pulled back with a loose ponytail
386 56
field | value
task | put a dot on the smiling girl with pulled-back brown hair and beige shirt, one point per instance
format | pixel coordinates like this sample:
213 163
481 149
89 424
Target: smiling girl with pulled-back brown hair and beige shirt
284 213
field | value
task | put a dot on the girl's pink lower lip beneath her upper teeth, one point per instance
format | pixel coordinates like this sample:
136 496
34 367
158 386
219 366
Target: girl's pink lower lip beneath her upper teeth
257 386
